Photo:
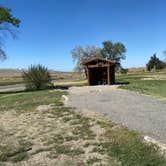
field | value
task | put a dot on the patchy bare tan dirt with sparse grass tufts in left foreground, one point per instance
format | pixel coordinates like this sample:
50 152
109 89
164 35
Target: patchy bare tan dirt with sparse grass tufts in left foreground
49 135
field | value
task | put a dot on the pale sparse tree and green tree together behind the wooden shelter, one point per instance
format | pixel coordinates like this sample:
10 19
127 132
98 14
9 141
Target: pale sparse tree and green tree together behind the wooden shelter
114 51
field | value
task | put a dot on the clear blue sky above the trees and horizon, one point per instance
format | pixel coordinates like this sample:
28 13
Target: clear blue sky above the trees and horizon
50 29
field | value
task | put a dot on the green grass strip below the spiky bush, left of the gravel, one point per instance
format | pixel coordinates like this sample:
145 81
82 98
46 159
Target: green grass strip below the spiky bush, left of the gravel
23 101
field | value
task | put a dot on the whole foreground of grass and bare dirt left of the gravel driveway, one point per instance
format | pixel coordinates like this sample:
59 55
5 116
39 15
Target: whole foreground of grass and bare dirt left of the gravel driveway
37 129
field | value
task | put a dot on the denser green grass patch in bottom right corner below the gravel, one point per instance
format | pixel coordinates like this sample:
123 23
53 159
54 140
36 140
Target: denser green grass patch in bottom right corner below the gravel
129 148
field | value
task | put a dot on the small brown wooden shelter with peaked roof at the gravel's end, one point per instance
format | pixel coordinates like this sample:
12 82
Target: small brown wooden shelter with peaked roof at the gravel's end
100 71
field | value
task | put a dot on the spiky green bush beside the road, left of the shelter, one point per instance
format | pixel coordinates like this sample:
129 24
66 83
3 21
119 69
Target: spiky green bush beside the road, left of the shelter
37 77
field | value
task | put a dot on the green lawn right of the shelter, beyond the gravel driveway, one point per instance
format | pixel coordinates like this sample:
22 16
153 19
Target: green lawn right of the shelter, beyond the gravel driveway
151 84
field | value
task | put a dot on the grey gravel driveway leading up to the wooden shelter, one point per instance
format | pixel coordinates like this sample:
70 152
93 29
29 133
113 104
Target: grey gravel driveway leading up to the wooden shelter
135 111
